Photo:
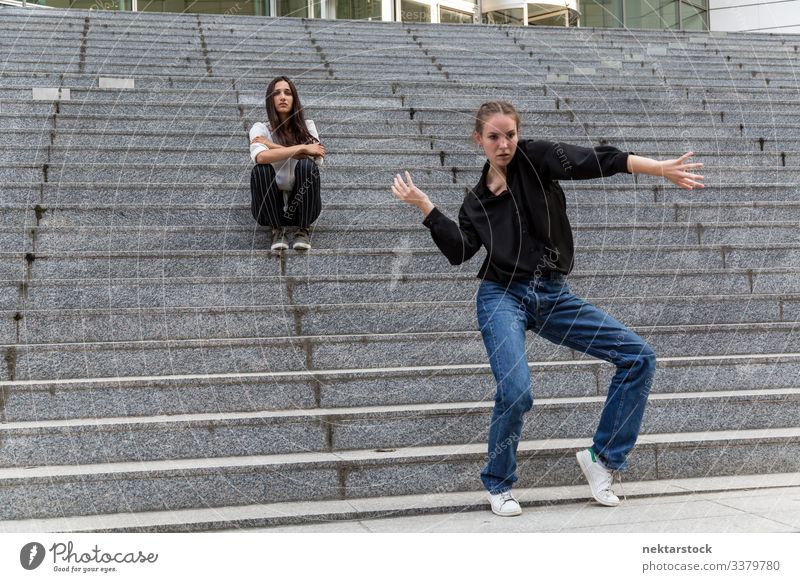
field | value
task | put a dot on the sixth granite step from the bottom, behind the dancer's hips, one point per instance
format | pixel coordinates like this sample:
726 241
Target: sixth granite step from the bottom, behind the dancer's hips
344 288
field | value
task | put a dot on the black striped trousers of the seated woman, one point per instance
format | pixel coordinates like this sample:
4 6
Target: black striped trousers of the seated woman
303 206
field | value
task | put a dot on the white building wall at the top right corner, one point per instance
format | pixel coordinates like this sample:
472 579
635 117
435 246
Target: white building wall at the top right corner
755 15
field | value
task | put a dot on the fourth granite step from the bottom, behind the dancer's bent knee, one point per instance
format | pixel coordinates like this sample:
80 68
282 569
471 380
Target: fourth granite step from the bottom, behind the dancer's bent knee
284 354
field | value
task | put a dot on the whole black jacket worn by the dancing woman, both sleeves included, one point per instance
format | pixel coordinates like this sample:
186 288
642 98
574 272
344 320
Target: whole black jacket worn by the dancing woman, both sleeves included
525 229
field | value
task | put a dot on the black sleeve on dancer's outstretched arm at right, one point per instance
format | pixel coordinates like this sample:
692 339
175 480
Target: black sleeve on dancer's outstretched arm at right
562 161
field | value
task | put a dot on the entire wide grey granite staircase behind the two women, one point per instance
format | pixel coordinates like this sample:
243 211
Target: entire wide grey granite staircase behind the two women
162 370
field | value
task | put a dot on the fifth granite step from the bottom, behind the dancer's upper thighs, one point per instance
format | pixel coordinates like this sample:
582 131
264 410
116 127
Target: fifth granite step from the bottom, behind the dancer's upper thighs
259 319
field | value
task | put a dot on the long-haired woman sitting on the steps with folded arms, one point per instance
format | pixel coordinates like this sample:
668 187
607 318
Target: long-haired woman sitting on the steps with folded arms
284 184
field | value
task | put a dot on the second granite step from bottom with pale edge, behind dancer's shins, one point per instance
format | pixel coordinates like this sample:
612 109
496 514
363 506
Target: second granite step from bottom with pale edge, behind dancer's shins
114 440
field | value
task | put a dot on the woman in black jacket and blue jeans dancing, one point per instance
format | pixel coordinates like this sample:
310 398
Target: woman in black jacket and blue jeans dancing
518 212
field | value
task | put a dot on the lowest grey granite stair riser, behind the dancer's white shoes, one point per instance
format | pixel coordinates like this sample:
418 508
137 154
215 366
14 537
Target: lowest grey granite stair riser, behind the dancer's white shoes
172 490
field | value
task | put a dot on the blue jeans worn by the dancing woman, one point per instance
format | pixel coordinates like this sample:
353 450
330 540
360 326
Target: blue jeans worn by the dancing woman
547 307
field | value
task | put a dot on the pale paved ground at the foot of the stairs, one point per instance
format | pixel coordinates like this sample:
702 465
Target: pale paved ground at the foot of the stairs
751 511
